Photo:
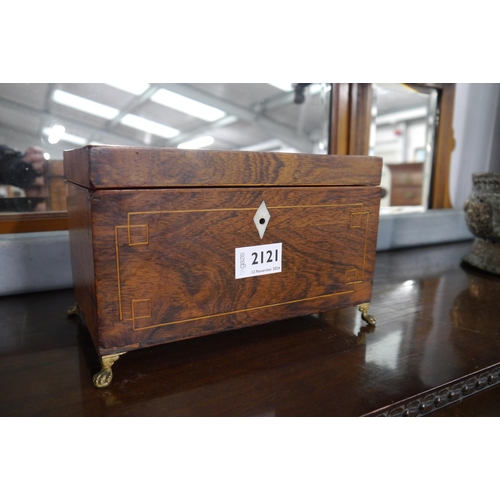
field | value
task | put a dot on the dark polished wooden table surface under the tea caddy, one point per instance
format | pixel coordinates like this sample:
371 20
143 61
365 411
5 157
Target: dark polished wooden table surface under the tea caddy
434 351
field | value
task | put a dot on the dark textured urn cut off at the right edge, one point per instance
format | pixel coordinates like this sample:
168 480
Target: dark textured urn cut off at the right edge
482 215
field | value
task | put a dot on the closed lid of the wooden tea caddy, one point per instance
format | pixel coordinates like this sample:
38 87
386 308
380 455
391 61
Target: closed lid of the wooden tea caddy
97 167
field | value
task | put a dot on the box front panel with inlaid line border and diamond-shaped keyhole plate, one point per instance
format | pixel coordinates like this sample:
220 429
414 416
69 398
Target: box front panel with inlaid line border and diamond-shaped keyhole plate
177 263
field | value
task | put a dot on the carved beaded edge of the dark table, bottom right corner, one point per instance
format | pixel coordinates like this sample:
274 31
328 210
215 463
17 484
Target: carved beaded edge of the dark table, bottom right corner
442 396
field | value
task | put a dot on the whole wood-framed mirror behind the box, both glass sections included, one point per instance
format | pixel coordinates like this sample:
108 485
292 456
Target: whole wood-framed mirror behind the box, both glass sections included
398 122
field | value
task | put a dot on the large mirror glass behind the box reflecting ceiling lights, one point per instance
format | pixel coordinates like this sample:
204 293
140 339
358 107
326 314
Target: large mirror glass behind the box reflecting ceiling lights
38 121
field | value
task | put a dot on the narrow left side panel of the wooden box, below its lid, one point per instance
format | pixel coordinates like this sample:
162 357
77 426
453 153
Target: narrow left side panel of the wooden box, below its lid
82 260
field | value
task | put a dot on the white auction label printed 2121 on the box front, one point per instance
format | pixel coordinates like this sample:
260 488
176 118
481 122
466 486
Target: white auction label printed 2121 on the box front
257 260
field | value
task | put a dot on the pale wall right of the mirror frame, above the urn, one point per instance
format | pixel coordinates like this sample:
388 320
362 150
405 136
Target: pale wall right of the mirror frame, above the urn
476 125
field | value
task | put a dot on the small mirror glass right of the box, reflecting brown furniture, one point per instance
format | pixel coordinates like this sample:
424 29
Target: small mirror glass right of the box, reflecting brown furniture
402 133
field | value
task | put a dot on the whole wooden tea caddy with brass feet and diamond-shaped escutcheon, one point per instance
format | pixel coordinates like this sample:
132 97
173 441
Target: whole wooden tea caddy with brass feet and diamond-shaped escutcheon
169 244
